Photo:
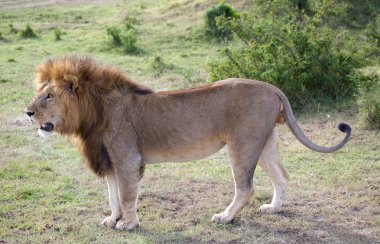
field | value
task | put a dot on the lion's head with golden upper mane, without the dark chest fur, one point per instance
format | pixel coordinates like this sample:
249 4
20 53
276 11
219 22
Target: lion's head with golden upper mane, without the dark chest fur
72 92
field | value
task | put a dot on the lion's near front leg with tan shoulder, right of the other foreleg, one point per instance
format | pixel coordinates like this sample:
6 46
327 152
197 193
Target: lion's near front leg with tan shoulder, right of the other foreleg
121 144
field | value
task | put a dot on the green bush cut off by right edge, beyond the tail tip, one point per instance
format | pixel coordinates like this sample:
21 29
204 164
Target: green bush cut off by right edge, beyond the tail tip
369 101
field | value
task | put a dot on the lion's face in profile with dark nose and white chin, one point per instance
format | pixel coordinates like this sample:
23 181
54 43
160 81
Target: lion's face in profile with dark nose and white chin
46 109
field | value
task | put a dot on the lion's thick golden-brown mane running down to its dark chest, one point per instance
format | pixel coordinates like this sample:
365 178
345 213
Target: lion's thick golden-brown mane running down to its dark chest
86 88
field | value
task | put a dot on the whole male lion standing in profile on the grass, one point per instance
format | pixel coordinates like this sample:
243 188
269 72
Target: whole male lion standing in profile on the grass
121 126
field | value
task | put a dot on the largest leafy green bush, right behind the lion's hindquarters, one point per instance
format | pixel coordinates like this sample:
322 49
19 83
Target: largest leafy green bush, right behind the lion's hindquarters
307 61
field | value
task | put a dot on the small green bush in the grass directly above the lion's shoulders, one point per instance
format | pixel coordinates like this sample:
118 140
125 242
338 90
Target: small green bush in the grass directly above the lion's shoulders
125 38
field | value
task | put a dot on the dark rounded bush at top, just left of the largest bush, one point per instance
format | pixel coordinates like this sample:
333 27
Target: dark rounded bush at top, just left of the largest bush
212 29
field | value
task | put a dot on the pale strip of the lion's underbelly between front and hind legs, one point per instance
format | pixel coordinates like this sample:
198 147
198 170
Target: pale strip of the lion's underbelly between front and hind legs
184 153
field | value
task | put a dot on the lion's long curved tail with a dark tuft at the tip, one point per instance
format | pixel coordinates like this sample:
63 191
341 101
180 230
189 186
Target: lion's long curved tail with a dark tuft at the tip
290 120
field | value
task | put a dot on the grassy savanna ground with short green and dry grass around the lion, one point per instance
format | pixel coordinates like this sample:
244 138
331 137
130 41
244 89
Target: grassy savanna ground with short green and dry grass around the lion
47 194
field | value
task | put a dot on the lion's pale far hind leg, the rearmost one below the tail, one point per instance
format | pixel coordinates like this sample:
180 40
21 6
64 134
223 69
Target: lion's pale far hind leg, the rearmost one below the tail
270 162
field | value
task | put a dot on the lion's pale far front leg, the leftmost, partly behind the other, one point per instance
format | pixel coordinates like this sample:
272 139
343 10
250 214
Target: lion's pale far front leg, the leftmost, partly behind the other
114 202
